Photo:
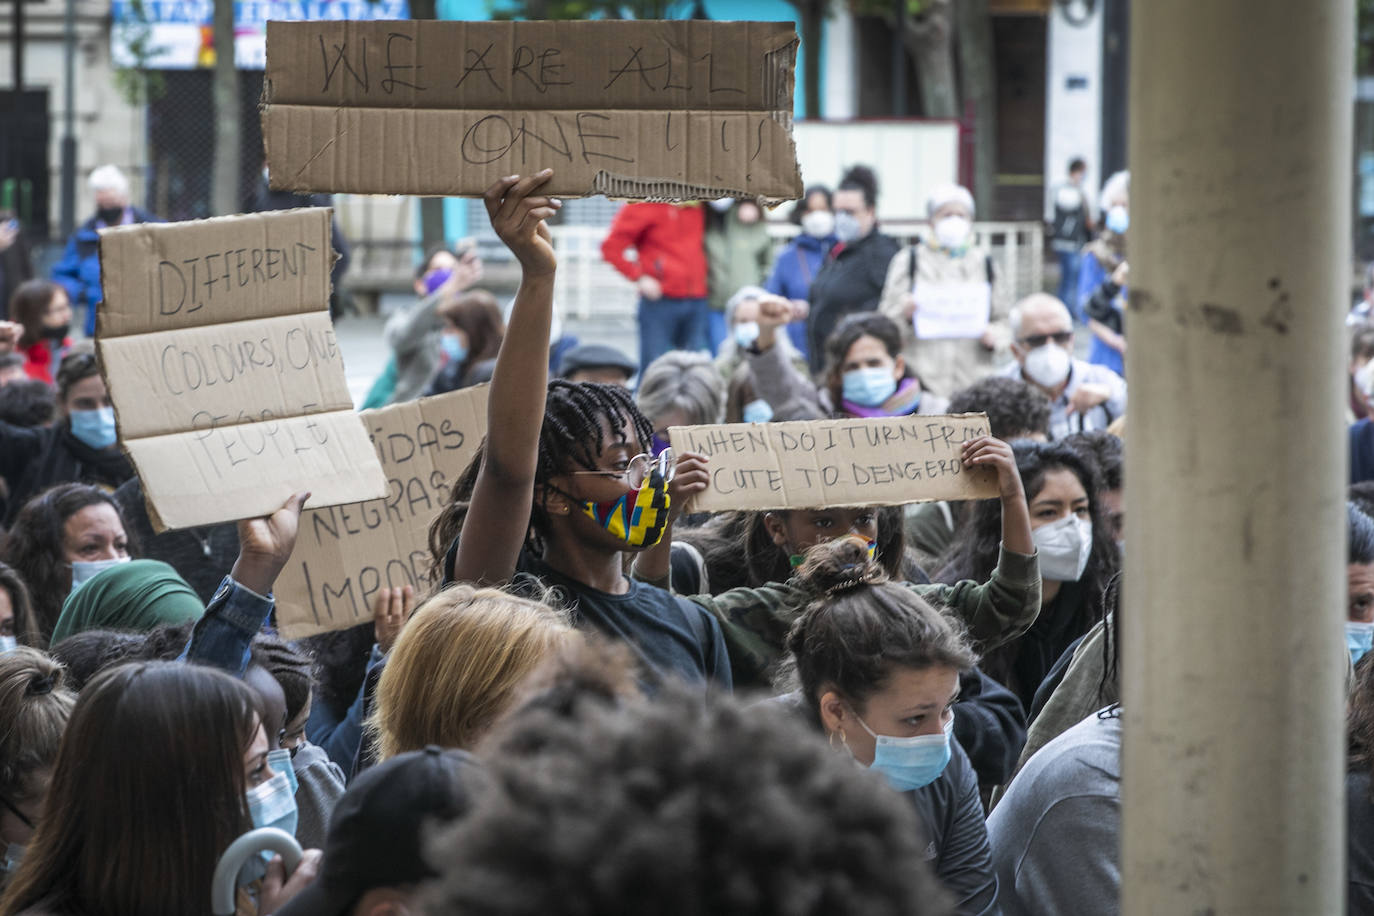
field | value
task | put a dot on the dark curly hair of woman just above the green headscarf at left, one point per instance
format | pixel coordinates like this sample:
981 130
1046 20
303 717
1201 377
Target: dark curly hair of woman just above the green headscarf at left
35 549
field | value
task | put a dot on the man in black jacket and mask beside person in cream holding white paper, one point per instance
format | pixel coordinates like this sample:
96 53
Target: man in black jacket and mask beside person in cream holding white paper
853 277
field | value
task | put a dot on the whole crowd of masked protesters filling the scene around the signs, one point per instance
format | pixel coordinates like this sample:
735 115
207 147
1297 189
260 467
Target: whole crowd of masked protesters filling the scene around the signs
607 704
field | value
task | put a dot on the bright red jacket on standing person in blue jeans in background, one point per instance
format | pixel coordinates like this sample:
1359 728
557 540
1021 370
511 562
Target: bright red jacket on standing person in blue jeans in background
668 238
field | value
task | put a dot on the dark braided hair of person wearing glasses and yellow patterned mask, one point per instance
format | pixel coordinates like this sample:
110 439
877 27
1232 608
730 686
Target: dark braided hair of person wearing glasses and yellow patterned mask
576 415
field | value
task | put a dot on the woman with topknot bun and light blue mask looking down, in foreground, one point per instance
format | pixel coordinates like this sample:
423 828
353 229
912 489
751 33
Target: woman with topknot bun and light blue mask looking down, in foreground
877 671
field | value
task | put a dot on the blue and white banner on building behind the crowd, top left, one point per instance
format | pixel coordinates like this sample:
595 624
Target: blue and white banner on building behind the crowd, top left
179 35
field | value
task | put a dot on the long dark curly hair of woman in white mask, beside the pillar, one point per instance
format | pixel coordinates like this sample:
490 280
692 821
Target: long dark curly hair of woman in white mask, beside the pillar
973 554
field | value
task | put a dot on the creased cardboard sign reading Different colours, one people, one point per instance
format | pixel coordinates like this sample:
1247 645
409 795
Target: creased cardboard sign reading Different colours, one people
222 363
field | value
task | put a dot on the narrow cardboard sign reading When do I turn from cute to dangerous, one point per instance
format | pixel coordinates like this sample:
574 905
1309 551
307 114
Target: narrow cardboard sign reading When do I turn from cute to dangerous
824 463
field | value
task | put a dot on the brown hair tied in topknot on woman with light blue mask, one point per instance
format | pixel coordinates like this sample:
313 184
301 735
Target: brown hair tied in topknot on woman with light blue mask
862 628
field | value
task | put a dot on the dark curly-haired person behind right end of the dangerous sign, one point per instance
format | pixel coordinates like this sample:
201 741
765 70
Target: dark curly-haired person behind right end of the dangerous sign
1016 411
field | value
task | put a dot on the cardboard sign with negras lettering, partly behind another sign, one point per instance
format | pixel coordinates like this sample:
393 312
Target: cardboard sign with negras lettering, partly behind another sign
346 554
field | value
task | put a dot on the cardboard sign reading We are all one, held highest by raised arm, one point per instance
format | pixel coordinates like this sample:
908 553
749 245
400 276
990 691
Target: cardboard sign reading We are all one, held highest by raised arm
667 111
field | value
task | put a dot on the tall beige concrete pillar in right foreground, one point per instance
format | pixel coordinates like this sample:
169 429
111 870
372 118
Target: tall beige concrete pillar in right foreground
1236 458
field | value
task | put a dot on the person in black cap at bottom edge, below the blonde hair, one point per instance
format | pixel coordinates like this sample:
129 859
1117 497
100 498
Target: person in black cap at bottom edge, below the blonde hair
374 858
